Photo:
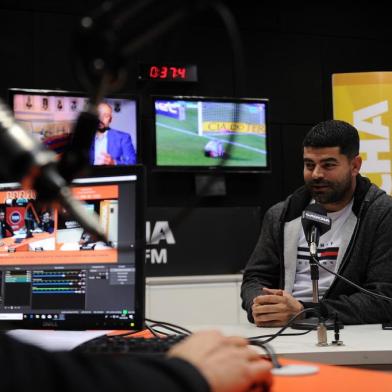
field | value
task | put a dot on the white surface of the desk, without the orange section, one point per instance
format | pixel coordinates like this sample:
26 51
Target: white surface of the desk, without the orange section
363 344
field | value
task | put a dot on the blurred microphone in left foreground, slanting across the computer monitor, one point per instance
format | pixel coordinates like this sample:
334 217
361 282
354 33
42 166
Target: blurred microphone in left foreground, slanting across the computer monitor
24 159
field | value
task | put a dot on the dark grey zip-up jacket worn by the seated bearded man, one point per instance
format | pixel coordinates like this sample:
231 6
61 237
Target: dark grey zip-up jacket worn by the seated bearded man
366 257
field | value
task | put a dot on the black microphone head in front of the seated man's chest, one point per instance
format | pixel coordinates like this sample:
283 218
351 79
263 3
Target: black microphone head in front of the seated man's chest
315 223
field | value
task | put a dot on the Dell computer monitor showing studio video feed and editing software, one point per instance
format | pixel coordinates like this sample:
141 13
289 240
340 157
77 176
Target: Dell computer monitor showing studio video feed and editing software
55 275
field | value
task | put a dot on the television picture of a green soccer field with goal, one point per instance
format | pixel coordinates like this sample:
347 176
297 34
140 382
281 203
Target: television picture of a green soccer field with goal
204 132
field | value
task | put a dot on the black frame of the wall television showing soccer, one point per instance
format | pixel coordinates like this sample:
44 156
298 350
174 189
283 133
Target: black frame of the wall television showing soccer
219 169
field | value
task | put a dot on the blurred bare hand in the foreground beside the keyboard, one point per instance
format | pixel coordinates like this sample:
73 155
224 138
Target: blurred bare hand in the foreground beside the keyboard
227 363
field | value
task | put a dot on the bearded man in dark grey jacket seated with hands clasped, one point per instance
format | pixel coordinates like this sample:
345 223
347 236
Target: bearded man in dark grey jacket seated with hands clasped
277 283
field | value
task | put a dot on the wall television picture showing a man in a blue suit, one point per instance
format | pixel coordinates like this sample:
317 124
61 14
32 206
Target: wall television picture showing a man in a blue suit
51 116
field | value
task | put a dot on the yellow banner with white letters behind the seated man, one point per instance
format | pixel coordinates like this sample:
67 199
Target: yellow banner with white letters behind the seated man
363 100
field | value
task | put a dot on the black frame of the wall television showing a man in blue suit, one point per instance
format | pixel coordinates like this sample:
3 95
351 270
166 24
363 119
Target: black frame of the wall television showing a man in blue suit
11 92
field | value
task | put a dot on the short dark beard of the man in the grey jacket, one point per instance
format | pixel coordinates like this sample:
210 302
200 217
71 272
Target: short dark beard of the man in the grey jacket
335 191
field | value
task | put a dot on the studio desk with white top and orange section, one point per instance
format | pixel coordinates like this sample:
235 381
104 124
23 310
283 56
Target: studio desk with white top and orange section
365 347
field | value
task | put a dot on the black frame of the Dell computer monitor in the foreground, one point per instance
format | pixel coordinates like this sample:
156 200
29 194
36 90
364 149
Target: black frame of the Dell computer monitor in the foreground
140 246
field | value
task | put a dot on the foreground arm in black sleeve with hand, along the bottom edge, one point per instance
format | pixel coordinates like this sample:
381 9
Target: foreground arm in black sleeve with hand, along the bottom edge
206 361
